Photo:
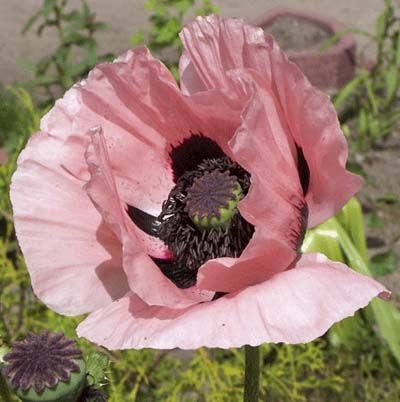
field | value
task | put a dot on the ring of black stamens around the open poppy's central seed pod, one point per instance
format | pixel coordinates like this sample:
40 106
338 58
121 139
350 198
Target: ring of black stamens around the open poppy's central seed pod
193 247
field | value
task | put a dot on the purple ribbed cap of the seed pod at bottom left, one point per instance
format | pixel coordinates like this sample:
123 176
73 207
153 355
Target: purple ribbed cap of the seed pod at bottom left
41 360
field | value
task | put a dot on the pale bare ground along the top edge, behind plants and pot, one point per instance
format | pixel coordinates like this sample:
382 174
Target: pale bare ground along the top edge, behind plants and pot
126 16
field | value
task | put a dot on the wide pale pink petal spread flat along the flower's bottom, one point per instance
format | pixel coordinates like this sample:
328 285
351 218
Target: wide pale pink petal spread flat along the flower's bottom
294 306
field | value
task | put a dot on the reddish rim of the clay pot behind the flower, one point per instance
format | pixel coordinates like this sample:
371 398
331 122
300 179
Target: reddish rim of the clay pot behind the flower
329 24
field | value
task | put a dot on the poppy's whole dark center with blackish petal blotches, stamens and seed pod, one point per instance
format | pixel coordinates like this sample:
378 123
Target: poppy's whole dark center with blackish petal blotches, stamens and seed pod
199 220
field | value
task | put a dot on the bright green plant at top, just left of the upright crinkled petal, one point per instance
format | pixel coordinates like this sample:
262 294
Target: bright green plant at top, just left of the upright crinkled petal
166 21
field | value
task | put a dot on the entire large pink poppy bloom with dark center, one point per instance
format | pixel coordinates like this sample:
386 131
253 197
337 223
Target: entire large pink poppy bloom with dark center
175 216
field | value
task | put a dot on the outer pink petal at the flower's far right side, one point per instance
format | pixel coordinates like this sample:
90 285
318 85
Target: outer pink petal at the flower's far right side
315 128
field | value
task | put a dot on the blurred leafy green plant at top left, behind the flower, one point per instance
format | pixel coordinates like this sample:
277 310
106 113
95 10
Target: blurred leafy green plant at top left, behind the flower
76 29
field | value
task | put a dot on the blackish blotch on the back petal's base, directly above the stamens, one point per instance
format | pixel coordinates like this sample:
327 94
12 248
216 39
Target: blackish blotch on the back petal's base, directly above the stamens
191 152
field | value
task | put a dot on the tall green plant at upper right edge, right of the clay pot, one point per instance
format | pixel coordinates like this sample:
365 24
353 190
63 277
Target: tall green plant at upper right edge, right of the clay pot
372 96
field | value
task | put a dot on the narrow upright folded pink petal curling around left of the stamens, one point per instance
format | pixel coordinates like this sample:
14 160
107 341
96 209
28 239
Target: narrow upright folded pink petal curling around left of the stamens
144 276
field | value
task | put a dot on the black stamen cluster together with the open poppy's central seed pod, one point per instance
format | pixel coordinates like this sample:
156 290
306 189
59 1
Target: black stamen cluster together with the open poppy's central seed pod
193 244
